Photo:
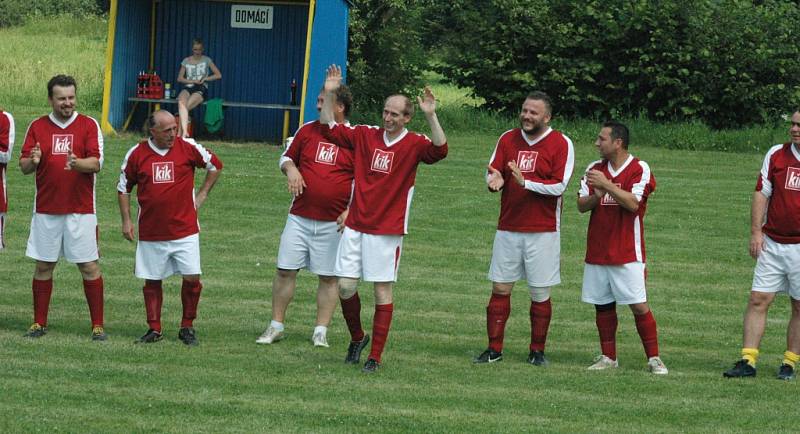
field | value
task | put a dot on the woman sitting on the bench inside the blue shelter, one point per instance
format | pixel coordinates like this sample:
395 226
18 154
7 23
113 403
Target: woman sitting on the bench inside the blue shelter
194 74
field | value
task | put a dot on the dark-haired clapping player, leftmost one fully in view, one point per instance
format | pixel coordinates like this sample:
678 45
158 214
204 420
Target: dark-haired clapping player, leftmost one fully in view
65 150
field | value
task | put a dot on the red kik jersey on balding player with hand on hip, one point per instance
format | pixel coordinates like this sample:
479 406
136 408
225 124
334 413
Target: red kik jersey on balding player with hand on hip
165 180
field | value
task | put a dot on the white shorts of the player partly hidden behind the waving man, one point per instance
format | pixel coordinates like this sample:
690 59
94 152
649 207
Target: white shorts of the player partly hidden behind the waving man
310 244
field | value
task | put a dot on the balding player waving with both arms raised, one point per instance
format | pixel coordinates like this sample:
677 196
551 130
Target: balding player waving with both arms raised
386 160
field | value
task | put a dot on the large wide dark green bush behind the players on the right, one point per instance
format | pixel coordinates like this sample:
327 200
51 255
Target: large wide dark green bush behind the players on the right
727 63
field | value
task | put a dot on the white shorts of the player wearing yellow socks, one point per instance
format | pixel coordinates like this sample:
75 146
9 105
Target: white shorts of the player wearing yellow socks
778 269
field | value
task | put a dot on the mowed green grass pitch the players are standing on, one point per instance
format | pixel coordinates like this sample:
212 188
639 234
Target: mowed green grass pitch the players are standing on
699 275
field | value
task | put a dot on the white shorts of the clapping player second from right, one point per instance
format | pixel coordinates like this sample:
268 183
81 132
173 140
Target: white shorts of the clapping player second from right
623 284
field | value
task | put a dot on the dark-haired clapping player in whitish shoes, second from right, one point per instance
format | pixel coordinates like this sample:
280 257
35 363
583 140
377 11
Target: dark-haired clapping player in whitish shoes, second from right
615 189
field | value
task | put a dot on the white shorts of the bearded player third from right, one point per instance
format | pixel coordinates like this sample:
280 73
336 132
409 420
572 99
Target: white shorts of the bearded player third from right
535 256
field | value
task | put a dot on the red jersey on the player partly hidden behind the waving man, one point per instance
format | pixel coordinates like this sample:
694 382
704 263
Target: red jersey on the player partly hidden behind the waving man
327 170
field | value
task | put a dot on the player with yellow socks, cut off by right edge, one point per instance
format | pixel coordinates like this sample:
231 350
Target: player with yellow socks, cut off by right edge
775 244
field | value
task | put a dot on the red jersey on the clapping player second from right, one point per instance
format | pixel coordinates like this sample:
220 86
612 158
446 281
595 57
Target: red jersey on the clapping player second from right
616 235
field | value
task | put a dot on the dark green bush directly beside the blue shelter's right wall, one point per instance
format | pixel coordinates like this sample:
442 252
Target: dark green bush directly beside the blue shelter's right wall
385 51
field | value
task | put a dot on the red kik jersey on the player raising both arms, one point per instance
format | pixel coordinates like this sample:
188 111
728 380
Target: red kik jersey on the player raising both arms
384 175
